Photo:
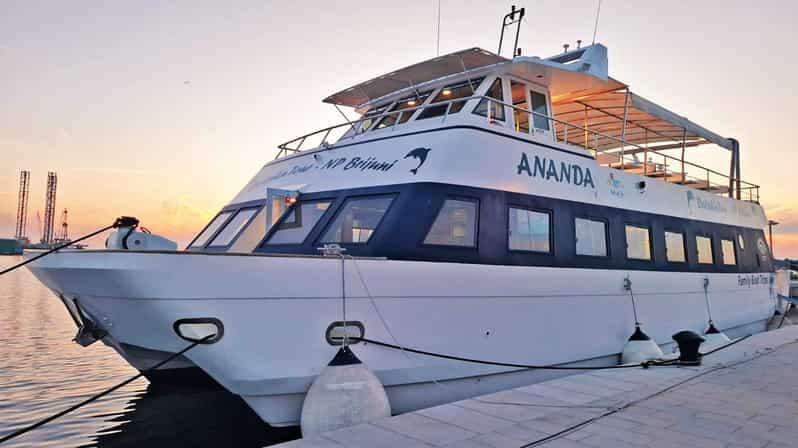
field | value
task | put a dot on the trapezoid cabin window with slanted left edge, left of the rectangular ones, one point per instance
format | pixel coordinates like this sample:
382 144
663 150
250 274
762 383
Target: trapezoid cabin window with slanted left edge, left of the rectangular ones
455 225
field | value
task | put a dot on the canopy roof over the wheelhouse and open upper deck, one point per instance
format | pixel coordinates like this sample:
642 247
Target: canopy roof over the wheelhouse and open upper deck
581 91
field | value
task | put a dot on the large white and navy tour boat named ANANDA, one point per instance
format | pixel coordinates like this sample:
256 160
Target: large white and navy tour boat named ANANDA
505 209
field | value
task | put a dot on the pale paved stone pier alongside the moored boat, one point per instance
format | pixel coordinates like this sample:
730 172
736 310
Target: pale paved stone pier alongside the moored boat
743 396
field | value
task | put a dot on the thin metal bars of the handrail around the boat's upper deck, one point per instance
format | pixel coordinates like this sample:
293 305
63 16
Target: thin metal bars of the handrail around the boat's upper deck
356 126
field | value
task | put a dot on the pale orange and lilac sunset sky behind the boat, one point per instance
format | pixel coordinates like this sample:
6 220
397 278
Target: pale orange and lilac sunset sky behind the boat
165 109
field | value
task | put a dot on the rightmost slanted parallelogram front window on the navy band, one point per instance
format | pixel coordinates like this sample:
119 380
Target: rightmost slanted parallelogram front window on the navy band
357 220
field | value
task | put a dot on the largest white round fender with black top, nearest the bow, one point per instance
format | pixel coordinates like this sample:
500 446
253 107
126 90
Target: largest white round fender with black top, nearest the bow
346 393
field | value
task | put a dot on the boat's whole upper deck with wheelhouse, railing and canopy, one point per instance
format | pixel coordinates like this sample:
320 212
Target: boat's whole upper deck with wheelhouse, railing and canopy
567 99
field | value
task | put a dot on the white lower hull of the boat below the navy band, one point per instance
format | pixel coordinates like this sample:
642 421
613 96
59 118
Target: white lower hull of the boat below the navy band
276 309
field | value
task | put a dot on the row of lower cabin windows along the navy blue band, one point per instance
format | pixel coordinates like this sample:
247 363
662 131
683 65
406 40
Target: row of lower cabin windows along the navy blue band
456 225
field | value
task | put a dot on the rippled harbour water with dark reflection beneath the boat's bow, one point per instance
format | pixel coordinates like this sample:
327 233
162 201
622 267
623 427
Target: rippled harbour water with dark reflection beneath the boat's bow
42 372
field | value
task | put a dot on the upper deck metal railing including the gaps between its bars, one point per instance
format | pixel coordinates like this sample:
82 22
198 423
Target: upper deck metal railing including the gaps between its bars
654 164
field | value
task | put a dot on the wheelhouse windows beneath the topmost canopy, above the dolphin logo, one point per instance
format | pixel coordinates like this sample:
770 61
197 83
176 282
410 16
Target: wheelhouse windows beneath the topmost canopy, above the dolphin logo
521 96
